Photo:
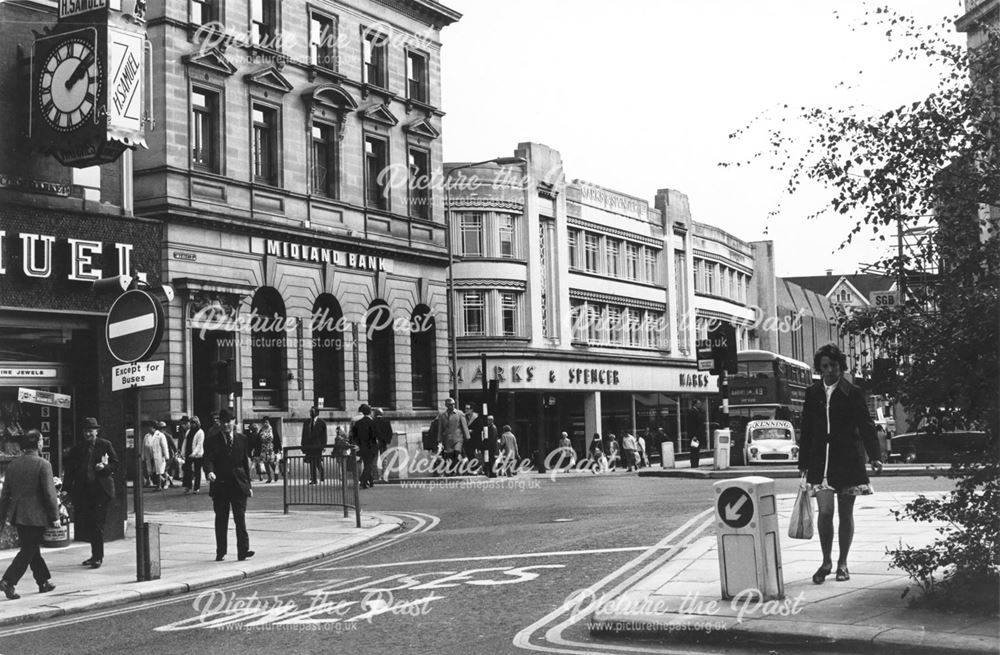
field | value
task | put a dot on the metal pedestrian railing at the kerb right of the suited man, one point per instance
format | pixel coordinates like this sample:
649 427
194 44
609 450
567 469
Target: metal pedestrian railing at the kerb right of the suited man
335 483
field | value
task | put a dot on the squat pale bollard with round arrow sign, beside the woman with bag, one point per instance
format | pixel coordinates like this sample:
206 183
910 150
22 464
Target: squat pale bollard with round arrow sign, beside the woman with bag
748 540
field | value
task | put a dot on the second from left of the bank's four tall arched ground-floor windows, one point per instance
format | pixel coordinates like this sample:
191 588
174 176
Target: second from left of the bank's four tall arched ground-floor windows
328 352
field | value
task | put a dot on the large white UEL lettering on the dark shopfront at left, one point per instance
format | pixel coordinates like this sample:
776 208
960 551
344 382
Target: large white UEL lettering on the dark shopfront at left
86 257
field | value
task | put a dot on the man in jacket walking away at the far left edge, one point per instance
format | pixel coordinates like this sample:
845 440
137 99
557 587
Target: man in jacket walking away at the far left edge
29 496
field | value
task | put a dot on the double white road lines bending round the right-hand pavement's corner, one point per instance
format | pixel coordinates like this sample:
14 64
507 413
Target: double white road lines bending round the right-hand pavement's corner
523 638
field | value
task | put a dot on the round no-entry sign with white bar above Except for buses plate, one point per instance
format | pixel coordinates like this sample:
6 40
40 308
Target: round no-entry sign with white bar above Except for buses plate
135 326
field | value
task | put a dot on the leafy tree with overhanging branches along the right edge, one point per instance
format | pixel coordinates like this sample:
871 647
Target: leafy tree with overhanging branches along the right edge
936 158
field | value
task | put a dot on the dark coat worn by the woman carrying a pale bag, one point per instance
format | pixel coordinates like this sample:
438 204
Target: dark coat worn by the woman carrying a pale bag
852 432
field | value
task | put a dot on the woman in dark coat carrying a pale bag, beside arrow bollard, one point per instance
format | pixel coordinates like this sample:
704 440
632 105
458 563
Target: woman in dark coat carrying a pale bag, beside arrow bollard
837 431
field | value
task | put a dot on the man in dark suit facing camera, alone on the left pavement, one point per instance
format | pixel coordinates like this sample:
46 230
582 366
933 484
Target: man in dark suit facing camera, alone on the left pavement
227 467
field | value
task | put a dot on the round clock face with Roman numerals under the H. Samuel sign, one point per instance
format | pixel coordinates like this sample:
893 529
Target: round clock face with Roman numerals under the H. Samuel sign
68 85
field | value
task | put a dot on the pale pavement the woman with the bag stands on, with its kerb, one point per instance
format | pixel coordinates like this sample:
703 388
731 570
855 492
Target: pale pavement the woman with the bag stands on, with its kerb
681 600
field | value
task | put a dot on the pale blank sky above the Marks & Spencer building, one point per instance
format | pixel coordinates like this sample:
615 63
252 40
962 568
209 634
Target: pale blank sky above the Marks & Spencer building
640 95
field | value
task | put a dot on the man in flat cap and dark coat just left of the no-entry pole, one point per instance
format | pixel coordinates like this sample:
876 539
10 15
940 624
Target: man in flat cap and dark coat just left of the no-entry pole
89 470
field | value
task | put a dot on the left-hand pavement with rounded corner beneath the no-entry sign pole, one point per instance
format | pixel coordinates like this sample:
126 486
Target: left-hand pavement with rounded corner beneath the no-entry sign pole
187 556
